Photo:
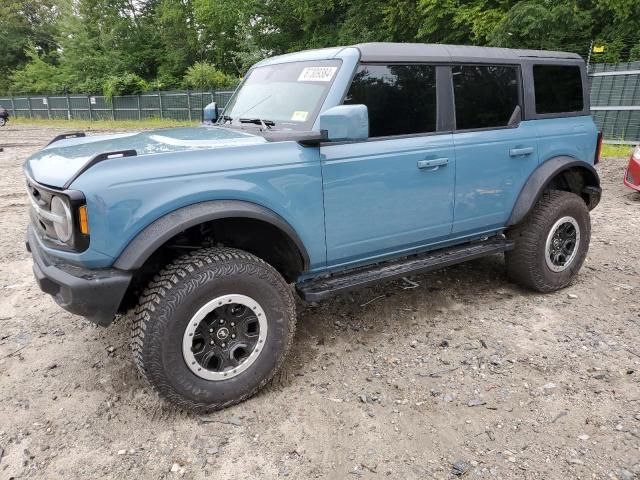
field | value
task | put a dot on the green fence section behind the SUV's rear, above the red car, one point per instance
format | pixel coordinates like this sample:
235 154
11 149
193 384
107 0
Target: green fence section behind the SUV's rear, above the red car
615 100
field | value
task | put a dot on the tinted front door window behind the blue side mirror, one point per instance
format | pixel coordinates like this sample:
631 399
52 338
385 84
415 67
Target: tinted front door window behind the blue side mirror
401 99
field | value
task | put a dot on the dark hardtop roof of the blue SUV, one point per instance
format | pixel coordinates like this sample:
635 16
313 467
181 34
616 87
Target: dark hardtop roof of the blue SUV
430 52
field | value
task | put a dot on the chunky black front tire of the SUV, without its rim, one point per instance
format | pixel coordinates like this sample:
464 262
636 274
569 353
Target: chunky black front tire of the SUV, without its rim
169 302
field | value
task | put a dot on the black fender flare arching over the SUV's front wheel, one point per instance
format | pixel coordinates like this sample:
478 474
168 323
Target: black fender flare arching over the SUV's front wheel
166 227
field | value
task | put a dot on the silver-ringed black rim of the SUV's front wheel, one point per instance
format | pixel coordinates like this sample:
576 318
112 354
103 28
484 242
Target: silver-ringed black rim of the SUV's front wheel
224 337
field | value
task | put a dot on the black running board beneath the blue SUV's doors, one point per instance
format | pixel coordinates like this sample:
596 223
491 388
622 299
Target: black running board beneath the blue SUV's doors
319 289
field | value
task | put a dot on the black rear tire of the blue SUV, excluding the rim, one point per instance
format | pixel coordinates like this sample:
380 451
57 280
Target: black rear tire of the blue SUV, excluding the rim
526 263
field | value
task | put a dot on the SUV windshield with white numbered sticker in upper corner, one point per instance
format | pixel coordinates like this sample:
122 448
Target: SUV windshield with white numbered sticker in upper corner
287 94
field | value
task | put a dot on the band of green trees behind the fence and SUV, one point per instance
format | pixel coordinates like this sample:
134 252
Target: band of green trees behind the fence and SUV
85 45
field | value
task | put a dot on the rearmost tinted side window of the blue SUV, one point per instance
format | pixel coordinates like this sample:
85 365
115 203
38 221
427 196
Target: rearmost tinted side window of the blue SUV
558 88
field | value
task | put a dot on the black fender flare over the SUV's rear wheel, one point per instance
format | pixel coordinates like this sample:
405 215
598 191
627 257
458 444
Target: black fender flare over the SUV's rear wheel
540 179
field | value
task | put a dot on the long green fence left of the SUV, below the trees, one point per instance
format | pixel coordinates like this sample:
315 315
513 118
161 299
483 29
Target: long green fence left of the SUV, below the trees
185 106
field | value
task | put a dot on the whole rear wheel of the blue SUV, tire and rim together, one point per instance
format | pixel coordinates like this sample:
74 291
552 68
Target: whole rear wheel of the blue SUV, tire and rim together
551 243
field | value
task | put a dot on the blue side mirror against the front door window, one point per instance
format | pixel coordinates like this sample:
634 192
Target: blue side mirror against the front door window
345 123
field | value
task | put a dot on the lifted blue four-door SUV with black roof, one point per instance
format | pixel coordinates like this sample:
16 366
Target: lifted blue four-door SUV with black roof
329 170
